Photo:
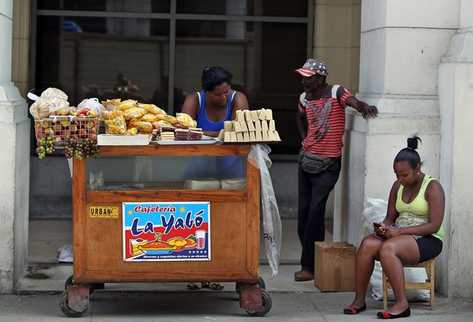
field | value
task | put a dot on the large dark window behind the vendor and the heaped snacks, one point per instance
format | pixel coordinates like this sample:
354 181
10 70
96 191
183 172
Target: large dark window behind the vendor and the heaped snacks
154 50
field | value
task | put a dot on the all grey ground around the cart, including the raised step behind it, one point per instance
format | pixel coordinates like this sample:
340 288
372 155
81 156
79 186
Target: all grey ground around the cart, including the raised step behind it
173 302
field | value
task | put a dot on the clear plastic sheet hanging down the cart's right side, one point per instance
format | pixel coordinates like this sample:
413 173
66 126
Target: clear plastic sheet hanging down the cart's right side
271 220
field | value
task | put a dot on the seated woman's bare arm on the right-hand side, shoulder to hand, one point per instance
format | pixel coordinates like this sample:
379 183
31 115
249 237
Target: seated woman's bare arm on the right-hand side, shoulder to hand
436 199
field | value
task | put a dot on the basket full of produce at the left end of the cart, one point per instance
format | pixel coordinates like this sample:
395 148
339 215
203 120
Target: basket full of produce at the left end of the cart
66 127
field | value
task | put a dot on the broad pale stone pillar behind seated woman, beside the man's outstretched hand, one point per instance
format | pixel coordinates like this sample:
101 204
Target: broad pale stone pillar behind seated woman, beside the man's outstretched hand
401 47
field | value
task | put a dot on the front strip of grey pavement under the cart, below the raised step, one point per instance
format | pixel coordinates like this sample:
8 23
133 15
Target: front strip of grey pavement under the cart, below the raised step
215 306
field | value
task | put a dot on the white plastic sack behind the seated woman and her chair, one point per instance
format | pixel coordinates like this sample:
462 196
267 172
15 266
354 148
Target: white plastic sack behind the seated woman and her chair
376 212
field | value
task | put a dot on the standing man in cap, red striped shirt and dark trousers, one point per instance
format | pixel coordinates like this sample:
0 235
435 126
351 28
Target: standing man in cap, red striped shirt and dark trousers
321 124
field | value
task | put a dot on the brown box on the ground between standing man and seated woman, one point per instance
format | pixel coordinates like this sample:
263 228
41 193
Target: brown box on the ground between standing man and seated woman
334 266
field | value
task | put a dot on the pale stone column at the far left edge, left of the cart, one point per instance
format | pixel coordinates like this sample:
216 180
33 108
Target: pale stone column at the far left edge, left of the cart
14 162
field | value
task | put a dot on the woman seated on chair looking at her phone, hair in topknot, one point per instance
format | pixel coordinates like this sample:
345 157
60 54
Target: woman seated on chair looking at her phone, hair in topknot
411 232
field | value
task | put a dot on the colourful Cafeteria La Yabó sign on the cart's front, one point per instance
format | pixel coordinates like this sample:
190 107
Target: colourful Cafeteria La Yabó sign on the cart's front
166 231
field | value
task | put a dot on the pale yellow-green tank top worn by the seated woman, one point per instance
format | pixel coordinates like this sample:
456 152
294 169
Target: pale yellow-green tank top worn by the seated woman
417 211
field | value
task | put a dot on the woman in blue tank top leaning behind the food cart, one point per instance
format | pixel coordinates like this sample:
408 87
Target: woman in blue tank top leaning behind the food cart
211 107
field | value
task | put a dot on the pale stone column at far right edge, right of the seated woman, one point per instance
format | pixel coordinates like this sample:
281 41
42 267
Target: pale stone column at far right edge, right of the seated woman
456 97
